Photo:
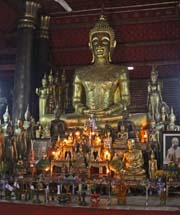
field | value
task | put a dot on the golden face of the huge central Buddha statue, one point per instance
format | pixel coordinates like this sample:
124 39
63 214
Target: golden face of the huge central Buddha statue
100 44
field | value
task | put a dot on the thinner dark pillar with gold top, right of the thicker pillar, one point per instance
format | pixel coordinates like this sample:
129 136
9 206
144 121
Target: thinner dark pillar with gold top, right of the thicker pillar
41 60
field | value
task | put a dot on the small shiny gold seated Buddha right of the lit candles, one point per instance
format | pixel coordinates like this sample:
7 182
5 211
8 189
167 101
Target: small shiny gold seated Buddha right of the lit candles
133 162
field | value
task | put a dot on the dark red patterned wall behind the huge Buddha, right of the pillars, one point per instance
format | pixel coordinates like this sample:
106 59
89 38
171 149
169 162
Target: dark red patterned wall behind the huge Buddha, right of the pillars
145 36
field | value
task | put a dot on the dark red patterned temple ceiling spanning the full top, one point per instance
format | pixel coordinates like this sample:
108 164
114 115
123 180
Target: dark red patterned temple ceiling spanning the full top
147 32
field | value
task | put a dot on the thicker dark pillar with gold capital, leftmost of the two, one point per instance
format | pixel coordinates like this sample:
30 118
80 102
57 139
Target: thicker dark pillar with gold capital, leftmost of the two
22 79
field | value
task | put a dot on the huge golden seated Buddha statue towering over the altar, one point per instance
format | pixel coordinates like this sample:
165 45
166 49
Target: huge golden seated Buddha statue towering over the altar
105 85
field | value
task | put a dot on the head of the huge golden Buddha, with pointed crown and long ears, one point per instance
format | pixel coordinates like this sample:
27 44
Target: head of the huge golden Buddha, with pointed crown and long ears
102 40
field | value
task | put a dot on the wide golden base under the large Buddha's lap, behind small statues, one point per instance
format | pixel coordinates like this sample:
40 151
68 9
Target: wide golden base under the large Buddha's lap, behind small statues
74 120
